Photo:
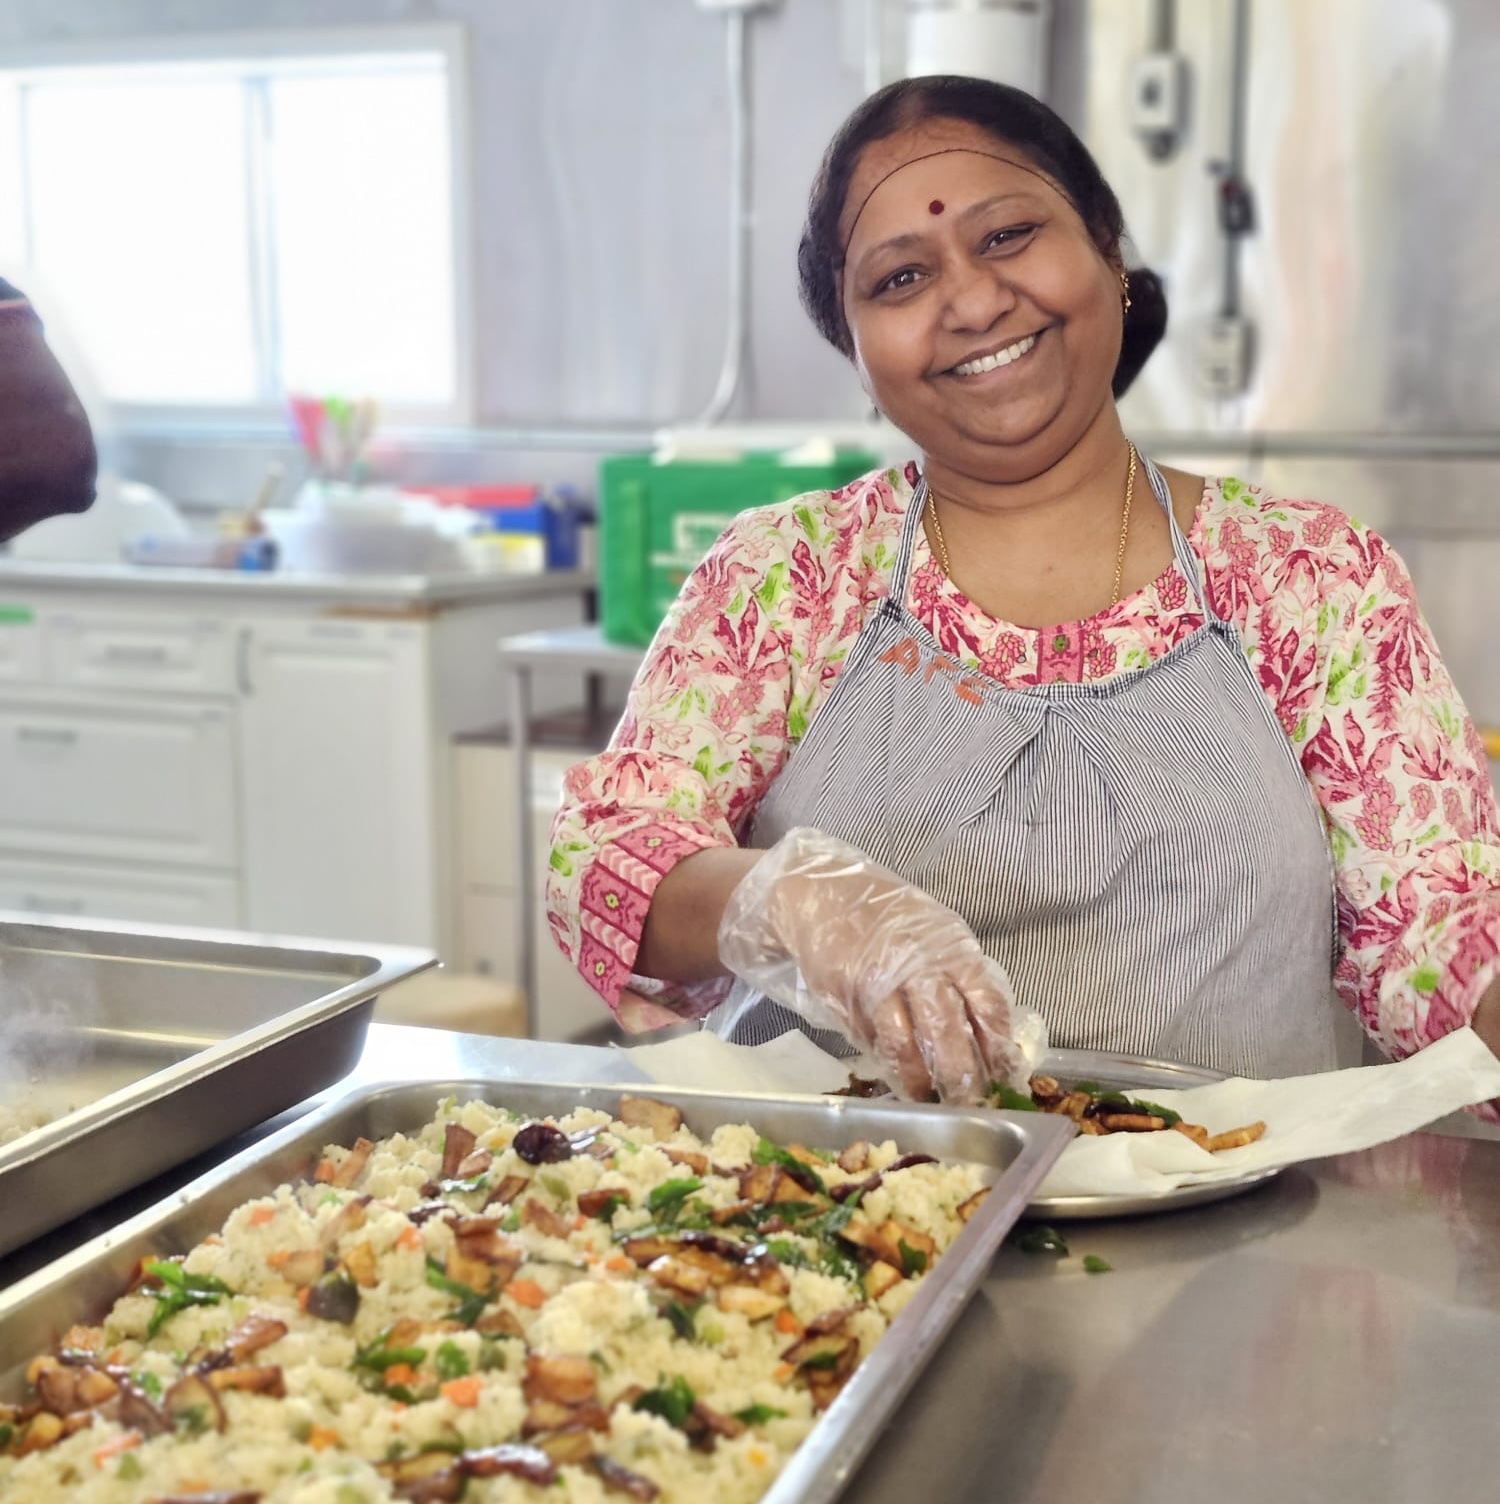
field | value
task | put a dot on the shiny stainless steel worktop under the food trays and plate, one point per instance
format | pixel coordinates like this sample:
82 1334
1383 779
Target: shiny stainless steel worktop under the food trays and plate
1331 1336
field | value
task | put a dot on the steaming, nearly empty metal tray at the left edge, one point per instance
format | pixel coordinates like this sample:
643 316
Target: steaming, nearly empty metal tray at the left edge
150 1046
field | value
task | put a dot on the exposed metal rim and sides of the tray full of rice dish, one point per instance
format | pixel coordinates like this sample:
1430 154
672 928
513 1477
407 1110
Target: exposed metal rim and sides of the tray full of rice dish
1015 1148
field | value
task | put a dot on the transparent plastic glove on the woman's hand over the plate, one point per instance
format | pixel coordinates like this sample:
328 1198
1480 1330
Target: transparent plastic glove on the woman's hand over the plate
848 945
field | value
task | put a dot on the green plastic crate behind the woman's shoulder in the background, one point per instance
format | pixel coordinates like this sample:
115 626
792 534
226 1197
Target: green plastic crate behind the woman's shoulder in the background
657 521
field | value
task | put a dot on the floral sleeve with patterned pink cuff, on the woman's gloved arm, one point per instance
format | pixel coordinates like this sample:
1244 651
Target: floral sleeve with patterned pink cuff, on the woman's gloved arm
703 736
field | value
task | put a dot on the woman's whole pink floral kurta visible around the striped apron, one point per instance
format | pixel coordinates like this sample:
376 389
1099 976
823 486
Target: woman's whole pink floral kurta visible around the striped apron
1326 613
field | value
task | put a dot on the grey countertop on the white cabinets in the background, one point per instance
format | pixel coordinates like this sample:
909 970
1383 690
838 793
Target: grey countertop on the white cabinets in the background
344 590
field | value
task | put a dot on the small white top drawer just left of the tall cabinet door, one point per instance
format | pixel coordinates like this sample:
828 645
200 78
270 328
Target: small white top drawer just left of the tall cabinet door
120 650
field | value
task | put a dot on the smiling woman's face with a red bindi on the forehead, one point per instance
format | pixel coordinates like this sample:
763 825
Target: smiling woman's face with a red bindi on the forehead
955 261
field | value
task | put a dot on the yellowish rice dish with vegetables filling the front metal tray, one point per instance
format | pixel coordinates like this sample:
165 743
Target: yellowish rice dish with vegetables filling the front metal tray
497 1309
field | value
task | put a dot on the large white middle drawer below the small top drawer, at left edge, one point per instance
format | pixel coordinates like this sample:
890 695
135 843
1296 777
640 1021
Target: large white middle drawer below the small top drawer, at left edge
139 781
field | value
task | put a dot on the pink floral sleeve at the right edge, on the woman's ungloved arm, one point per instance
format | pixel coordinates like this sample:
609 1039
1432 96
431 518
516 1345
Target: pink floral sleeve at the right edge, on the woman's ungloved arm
1406 792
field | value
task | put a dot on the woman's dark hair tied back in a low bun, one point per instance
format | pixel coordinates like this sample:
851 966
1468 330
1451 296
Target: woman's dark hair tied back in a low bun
1013 118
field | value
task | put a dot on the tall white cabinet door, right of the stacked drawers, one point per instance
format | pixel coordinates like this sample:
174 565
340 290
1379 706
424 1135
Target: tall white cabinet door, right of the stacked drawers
336 730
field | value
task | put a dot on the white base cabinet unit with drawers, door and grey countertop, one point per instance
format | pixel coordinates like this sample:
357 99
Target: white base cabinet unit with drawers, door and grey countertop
264 754
